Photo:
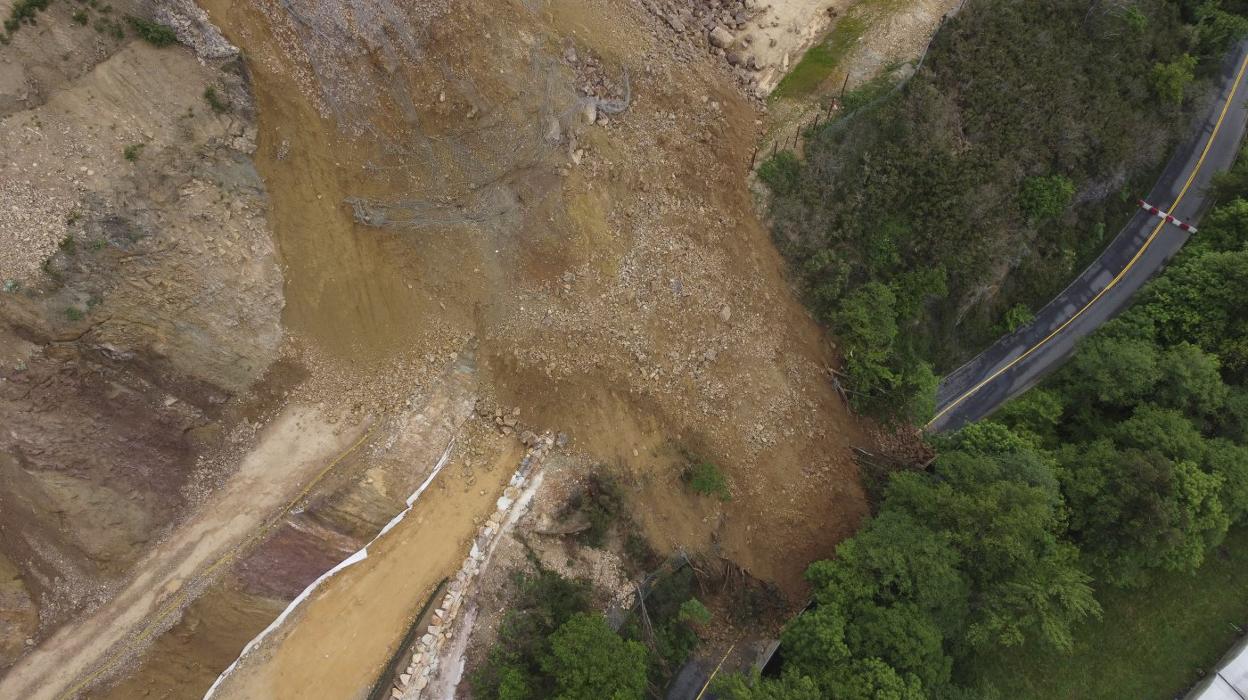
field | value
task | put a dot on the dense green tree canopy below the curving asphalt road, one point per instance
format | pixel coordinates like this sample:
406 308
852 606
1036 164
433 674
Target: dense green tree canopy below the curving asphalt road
1130 464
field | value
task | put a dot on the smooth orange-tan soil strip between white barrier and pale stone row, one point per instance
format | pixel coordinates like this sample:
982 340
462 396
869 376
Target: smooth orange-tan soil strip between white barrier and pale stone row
353 625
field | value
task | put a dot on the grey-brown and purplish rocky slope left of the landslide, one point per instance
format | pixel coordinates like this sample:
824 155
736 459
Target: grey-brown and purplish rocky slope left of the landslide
139 294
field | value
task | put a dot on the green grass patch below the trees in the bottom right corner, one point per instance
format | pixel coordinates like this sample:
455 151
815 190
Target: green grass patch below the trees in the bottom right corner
1150 644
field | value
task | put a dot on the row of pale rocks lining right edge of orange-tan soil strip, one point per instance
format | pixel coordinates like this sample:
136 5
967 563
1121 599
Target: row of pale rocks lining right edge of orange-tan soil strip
412 682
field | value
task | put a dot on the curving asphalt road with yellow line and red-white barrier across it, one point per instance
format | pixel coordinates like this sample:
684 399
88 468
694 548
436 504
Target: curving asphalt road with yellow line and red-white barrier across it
1020 360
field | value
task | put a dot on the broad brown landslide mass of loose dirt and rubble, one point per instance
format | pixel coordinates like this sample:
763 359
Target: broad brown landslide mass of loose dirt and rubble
616 261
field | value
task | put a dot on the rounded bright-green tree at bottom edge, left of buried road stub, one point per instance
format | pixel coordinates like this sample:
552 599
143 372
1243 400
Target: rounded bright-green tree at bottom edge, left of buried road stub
590 661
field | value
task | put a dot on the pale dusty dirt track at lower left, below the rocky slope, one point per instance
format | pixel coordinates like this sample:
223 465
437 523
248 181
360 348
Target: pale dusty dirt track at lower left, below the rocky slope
291 456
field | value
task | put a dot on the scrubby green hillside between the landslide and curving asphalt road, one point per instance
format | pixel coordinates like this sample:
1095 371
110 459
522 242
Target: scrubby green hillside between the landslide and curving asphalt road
937 219
